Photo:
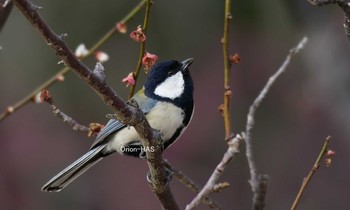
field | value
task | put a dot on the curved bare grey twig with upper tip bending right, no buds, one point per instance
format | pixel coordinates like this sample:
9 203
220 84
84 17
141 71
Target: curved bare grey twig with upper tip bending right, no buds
254 182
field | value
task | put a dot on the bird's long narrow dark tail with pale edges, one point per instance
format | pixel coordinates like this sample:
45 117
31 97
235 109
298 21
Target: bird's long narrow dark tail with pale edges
74 170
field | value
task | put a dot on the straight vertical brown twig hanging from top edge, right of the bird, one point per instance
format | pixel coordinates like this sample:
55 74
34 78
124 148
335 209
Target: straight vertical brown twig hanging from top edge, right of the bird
227 65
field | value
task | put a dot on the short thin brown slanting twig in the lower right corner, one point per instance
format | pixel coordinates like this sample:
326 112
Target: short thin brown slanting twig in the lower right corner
314 168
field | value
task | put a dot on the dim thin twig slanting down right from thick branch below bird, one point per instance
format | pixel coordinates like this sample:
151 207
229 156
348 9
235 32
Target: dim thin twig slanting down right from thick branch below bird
185 180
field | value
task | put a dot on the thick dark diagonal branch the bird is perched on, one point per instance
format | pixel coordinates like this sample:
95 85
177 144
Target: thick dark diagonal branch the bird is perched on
127 114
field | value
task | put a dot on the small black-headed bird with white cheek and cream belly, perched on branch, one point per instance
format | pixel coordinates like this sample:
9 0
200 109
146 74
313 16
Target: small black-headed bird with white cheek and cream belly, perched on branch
166 99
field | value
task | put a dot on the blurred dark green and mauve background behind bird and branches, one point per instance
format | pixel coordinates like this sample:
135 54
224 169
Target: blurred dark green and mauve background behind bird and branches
307 103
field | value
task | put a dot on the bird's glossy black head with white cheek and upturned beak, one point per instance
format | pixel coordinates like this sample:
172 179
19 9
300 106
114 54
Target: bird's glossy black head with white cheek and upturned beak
170 81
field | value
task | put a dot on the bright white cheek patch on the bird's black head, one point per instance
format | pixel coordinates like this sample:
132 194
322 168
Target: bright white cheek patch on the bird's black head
172 87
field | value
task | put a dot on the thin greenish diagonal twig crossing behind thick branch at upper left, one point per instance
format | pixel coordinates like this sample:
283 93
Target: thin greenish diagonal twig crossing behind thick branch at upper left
13 108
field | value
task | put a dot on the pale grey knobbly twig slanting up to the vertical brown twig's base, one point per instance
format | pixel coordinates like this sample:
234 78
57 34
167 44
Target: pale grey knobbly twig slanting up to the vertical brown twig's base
230 154
